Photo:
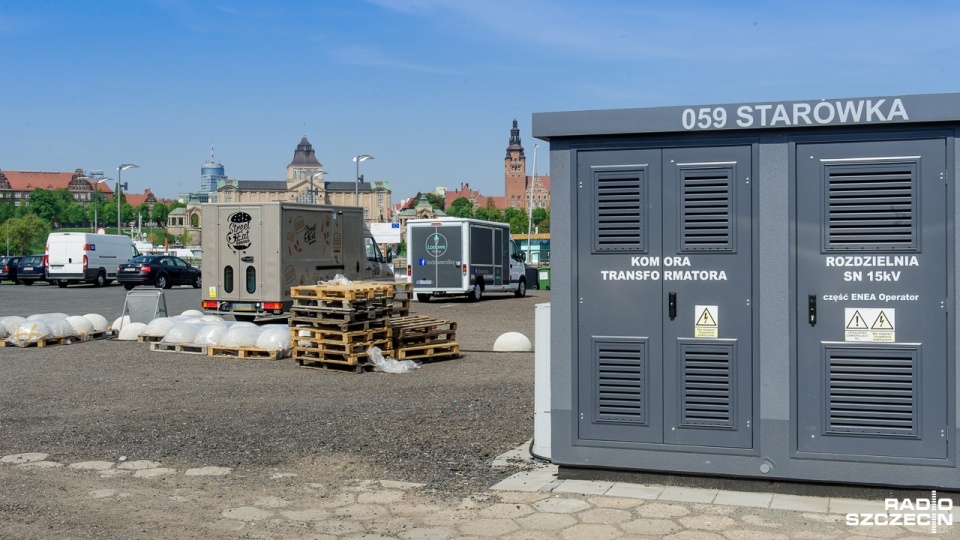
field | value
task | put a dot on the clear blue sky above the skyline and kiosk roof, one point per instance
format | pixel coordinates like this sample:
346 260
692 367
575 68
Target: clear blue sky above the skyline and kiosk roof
428 87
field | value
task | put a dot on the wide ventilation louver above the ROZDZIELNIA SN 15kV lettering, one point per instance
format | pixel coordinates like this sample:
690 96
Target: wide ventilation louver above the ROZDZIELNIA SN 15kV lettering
871 207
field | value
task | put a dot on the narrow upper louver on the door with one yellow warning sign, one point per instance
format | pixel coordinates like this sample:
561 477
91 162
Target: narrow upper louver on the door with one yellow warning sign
707 213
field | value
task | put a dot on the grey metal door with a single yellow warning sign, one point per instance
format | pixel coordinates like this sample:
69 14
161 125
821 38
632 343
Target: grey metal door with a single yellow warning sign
708 272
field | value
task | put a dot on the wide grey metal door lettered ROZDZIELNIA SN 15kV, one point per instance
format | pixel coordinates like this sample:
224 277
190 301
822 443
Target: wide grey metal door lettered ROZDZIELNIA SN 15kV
872 282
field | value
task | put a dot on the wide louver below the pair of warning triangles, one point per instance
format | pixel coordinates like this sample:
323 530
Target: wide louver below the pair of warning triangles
873 392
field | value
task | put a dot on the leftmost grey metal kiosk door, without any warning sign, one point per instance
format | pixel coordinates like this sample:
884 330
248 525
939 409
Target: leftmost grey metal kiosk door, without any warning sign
617 196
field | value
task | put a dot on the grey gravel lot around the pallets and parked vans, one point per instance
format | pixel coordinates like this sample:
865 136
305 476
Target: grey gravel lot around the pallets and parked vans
440 425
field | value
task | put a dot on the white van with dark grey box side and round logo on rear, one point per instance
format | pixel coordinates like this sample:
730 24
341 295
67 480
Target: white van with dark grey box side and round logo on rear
450 256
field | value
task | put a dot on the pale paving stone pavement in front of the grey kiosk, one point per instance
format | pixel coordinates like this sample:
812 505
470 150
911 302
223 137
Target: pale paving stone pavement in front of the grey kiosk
530 505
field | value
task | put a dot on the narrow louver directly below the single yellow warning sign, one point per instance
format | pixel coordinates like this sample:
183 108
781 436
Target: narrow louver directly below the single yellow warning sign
708 399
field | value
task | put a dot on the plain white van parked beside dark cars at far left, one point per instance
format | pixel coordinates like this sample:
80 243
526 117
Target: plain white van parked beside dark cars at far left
85 257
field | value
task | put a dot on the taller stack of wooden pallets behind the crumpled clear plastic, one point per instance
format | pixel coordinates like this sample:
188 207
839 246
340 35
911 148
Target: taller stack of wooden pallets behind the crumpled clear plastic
335 325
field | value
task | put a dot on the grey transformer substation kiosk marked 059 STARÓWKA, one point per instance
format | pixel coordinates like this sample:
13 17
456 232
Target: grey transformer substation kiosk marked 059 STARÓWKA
760 290
